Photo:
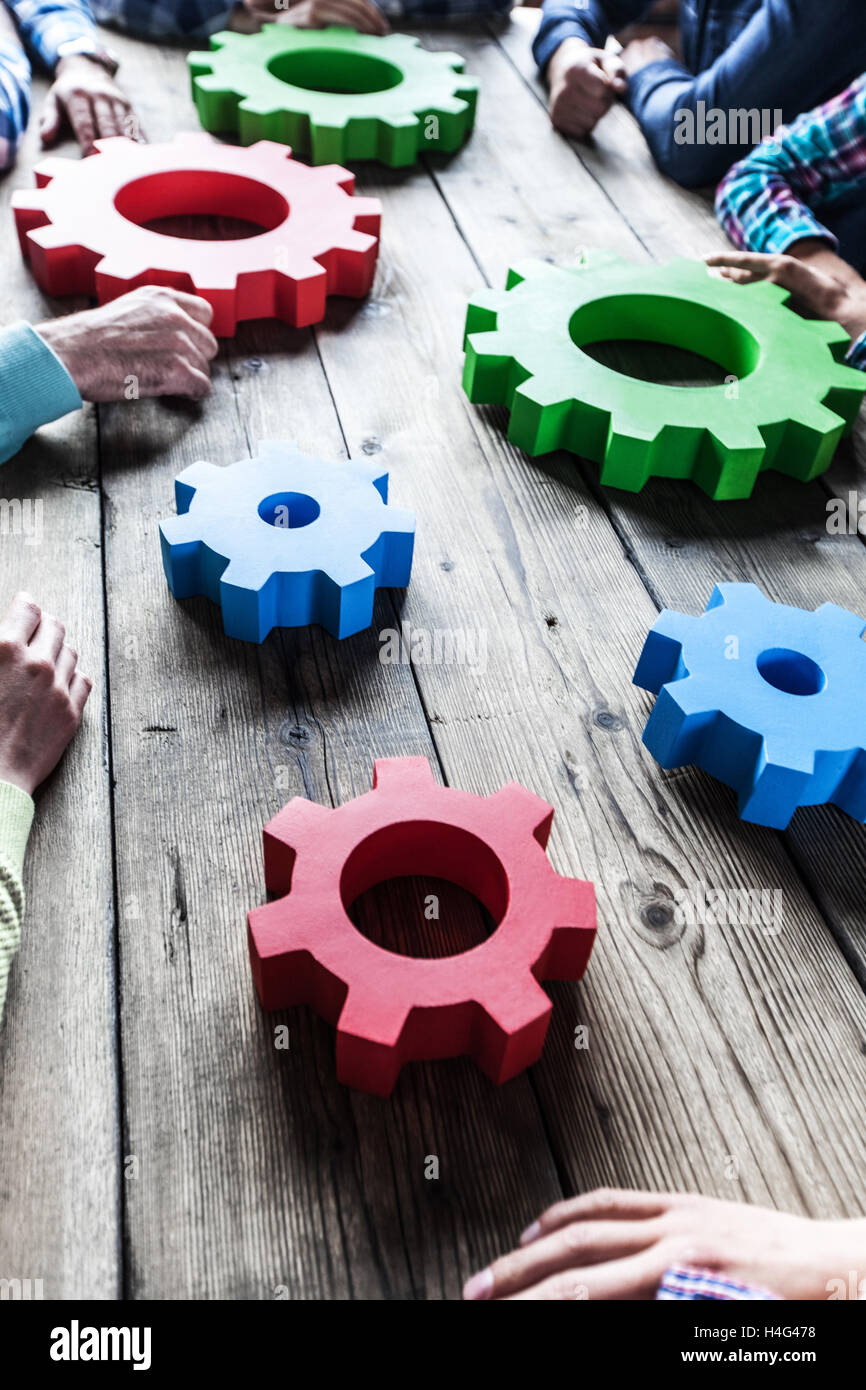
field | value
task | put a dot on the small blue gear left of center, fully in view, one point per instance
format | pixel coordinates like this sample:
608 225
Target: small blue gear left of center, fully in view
284 540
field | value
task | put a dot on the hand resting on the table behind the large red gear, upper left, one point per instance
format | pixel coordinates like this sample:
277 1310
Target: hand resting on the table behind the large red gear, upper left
91 101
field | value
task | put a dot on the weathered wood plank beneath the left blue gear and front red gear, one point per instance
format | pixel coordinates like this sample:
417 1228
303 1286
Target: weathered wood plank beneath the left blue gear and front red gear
256 1171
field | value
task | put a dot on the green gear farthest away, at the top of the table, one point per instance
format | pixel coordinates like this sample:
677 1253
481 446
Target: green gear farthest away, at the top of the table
334 95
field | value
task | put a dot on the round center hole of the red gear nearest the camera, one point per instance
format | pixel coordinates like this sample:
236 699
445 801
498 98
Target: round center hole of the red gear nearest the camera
425 890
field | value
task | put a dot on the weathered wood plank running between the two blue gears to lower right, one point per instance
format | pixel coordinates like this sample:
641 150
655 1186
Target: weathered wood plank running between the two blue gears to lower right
704 1043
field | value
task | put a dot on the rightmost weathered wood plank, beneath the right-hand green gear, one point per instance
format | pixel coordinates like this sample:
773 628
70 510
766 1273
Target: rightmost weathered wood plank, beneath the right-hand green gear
680 541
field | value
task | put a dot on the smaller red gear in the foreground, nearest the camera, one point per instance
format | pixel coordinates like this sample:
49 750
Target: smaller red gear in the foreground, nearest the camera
390 1008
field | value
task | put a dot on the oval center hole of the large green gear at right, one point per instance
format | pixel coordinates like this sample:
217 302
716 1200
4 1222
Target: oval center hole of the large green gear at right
693 345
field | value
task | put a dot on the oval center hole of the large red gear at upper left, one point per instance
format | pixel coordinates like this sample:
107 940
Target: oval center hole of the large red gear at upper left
202 205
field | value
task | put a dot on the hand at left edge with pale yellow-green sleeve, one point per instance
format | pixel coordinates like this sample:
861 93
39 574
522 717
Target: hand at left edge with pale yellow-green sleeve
42 694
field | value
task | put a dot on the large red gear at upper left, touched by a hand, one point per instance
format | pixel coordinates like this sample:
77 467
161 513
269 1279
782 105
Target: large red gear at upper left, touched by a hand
81 227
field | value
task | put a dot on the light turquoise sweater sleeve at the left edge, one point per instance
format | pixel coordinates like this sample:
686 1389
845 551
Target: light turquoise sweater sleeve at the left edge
35 387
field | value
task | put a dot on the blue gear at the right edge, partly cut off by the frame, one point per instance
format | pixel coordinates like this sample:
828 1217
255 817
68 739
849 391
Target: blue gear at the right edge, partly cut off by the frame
768 698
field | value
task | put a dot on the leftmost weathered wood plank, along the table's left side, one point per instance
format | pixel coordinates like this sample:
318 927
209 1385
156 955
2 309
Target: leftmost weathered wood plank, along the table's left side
59 1104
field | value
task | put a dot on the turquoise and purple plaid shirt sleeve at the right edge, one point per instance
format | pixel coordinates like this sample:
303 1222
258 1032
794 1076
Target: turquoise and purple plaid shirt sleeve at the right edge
775 195
